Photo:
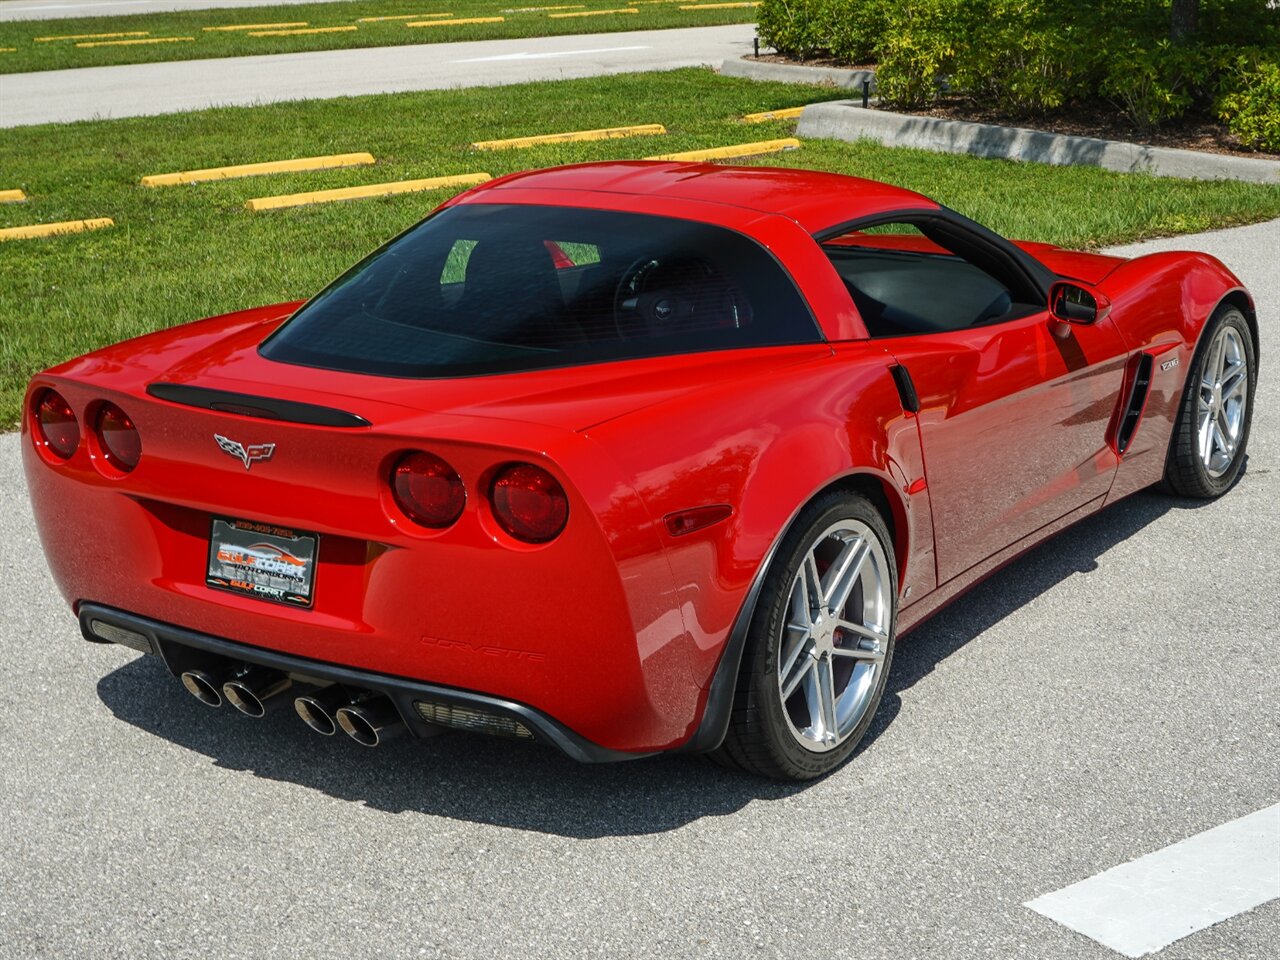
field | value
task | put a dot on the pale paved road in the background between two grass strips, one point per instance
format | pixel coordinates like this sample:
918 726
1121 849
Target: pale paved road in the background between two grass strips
141 90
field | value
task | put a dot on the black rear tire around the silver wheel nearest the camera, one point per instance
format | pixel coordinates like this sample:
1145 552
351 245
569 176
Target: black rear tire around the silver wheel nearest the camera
761 738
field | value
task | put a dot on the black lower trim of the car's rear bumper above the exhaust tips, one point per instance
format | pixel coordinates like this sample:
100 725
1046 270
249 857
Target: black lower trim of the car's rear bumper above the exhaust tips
181 650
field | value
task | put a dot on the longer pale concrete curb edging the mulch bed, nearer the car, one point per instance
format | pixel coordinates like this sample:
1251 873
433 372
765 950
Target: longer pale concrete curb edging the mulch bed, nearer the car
847 120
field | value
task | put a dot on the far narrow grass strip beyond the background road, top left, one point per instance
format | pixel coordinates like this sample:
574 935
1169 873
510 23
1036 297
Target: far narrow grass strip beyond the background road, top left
31 56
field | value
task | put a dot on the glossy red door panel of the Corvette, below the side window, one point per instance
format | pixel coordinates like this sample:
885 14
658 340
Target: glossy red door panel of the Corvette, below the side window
1014 428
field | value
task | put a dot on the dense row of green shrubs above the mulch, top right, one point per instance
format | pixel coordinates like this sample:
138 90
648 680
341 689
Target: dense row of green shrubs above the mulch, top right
1022 57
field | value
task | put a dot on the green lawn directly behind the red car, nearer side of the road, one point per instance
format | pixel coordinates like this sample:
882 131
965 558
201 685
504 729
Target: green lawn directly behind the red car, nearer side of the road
184 253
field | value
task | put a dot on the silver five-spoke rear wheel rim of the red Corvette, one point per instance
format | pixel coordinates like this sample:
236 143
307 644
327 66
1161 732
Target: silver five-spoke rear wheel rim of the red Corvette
834 643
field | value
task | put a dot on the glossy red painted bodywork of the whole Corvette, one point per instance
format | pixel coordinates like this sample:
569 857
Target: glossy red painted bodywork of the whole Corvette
671 478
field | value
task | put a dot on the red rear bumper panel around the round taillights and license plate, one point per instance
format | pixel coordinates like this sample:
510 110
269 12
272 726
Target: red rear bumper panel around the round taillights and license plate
587 629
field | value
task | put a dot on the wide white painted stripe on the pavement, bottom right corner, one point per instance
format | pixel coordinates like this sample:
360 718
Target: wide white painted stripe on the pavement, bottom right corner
1146 904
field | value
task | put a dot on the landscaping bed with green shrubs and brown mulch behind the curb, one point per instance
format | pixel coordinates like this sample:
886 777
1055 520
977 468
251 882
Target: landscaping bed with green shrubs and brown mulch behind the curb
1190 75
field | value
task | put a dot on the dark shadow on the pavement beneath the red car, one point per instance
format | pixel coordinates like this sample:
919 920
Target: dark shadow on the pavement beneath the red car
531 788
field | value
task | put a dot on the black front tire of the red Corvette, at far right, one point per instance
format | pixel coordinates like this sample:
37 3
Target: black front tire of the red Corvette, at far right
1186 472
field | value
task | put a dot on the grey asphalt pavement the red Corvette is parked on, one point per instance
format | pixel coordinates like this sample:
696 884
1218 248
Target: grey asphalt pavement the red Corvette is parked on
1110 694
